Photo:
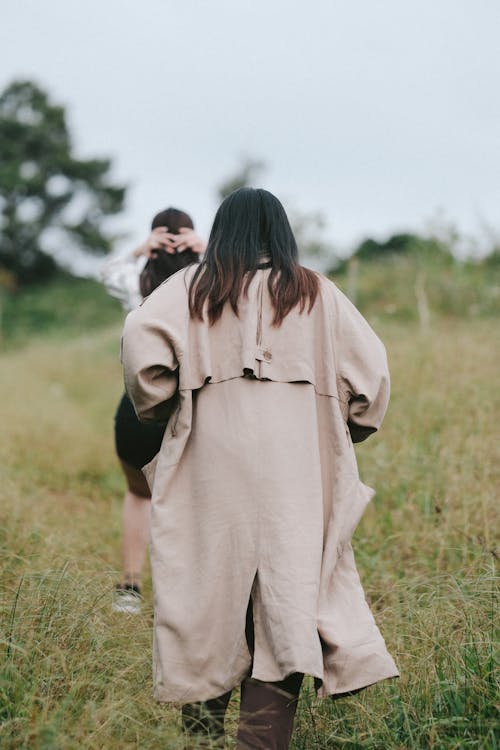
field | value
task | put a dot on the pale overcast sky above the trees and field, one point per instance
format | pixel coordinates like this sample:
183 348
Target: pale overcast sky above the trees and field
379 113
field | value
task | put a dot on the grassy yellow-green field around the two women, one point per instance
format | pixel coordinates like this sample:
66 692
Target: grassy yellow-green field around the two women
75 675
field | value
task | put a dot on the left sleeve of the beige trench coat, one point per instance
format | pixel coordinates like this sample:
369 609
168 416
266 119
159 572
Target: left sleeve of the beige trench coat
150 365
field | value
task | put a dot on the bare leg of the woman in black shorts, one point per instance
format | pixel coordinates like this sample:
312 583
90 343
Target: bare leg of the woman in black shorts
136 513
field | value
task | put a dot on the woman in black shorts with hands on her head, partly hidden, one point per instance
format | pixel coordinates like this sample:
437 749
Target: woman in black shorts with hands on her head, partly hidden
171 245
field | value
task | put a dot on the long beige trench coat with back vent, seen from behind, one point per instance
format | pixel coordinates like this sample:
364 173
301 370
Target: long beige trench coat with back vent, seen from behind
255 491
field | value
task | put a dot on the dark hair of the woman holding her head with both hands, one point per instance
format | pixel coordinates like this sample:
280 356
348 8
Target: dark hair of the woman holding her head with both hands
163 264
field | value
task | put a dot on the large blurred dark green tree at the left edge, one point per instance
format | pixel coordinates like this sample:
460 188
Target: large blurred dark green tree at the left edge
45 191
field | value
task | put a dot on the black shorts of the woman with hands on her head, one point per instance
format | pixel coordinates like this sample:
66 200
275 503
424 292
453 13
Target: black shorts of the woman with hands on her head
136 443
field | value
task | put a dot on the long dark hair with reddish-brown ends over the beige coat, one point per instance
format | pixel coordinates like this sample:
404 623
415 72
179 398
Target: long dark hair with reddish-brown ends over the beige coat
250 227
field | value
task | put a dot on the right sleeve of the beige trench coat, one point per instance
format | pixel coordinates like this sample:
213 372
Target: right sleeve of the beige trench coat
362 370
